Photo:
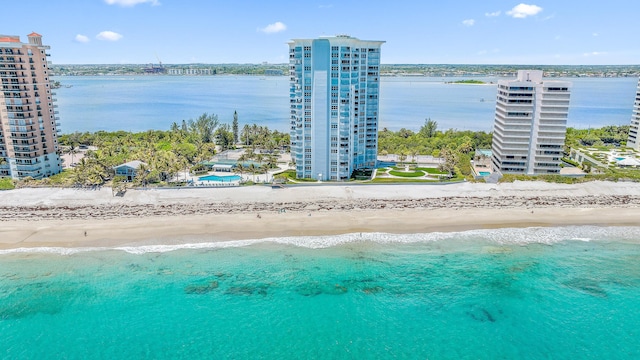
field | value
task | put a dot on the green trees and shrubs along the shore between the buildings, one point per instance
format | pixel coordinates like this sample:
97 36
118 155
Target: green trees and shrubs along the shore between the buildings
190 143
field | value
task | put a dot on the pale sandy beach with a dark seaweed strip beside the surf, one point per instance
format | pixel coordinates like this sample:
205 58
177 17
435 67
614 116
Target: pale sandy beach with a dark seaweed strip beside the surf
88 218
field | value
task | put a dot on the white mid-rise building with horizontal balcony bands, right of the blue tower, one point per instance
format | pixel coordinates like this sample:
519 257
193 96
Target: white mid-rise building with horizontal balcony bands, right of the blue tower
530 124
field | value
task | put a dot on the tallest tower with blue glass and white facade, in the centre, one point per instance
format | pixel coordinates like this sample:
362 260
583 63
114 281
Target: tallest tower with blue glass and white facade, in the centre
335 86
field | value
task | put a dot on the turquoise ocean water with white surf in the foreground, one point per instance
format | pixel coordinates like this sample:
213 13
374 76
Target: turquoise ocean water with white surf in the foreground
537 293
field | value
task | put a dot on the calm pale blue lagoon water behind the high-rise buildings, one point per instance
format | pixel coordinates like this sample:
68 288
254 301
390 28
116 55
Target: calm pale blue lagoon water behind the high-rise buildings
154 102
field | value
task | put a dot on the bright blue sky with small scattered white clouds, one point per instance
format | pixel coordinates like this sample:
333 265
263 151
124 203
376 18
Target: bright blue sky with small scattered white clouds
417 31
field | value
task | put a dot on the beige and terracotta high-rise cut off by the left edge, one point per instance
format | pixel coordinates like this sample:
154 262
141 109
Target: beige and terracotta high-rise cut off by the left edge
28 117
